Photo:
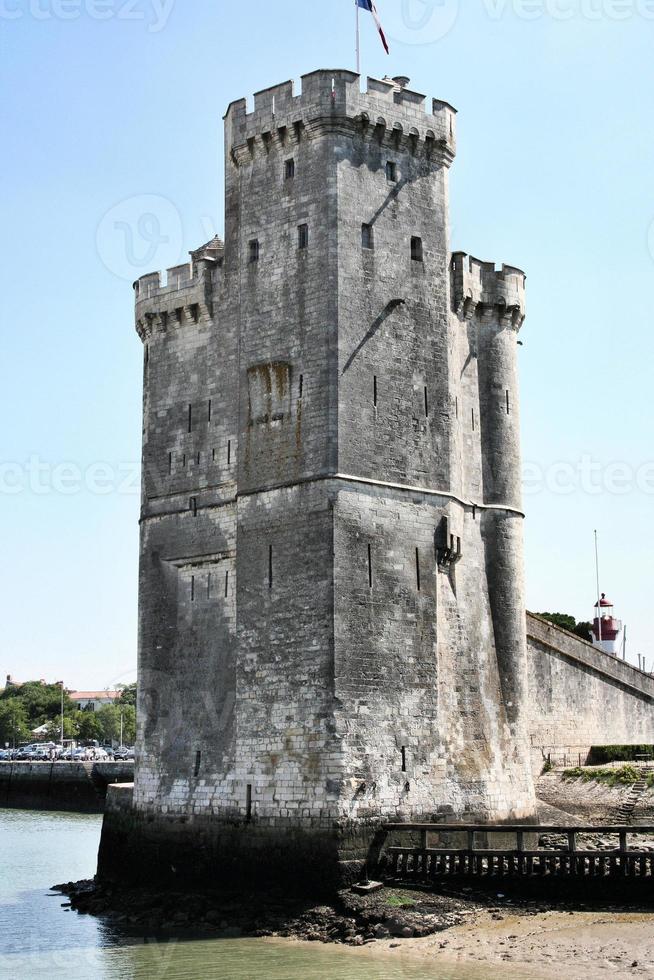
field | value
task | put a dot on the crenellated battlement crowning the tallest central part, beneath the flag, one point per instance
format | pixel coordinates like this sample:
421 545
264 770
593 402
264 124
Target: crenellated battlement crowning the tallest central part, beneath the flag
387 111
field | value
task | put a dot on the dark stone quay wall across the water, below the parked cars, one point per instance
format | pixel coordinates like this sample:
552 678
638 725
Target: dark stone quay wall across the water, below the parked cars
77 786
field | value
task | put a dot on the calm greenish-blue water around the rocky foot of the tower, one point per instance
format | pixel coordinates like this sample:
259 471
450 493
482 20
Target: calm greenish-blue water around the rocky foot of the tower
39 938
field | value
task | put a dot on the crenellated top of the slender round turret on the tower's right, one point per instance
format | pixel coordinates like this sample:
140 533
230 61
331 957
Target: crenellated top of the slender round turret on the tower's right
476 284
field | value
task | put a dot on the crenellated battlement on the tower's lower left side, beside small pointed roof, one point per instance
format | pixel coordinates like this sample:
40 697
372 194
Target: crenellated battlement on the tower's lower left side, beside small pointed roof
181 294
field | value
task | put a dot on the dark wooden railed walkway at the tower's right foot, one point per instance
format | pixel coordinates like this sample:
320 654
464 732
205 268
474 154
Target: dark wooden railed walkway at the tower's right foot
515 856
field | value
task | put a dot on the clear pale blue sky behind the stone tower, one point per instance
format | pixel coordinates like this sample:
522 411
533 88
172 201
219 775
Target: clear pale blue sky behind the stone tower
106 119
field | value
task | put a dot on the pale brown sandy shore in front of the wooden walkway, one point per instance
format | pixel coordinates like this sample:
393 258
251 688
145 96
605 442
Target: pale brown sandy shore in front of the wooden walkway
561 945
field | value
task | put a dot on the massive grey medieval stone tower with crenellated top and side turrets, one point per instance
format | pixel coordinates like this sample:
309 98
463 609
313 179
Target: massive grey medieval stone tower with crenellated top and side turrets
332 622
